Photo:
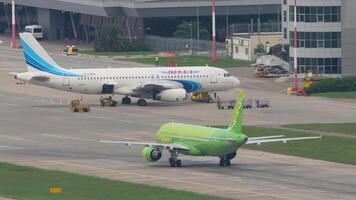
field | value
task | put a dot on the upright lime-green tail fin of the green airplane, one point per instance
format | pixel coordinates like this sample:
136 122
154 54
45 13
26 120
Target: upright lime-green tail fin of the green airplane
237 117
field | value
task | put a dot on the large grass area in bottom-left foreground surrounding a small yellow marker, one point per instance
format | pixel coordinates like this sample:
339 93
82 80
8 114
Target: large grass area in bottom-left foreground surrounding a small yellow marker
29 183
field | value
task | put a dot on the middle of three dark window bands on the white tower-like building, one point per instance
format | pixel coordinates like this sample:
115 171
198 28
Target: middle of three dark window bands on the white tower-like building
317 39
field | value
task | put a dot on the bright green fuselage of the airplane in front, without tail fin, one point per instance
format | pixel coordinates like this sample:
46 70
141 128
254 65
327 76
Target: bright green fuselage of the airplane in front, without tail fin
201 141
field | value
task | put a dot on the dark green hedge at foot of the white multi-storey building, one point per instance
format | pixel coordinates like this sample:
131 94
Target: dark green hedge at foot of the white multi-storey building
345 84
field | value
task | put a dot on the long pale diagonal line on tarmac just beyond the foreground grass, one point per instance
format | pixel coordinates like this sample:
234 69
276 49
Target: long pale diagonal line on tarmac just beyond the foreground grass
223 188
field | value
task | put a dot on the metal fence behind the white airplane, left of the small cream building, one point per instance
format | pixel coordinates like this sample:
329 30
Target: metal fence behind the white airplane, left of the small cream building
180 45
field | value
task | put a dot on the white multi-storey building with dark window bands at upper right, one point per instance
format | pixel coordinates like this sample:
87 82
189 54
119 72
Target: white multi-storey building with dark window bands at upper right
325 35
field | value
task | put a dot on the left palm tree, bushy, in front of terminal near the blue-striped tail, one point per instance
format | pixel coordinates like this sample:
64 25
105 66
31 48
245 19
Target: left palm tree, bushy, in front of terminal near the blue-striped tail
110 39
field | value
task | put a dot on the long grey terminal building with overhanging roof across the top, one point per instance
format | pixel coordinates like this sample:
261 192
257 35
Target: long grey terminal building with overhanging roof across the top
63 18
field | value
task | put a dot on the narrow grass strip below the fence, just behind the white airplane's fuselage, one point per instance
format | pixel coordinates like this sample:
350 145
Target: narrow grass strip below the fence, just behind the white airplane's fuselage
196 61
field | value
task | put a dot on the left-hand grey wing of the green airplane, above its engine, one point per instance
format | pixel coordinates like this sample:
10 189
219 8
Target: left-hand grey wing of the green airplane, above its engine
148 144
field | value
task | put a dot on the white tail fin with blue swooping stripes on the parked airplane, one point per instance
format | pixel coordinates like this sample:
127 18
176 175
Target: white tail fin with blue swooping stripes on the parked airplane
38 59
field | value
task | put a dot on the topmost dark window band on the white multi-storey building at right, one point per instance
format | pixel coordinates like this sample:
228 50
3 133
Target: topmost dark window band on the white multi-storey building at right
314 14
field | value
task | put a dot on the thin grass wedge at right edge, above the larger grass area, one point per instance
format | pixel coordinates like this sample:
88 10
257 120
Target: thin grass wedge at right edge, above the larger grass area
345 128
